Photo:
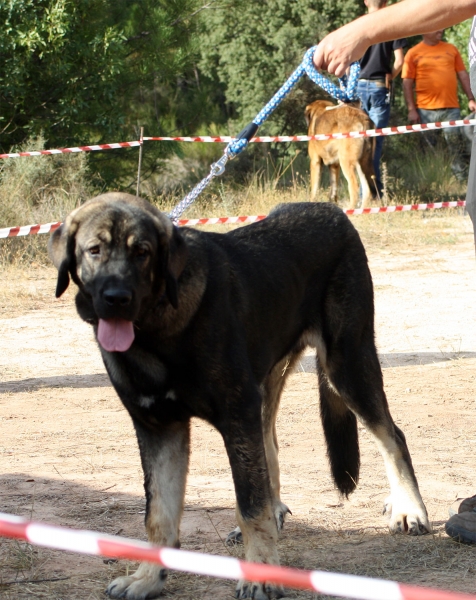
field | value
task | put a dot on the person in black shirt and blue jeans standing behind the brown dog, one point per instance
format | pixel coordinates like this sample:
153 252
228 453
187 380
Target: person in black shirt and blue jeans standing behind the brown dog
376 75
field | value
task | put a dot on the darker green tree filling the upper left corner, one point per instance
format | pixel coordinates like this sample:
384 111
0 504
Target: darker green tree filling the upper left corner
76 71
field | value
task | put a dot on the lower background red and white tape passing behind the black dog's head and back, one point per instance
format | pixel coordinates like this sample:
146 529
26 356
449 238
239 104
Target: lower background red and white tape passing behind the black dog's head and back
49 227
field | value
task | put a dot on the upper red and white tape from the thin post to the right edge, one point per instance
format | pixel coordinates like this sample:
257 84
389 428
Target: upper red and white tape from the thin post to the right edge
385 131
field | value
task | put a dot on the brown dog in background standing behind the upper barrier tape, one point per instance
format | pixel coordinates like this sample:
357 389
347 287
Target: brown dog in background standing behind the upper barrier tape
353 156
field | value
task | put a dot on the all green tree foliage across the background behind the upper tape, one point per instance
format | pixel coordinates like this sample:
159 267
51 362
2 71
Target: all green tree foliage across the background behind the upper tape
92 71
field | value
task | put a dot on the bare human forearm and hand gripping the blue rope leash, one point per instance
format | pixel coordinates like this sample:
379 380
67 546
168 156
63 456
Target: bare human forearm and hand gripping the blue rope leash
409 17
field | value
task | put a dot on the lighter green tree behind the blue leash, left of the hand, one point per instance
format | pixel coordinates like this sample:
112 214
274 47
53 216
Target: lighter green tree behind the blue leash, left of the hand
251 47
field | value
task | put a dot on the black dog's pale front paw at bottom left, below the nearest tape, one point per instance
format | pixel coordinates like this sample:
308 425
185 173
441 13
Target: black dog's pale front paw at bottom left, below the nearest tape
146 583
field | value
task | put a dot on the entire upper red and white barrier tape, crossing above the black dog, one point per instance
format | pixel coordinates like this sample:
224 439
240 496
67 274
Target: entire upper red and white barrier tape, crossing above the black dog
277 138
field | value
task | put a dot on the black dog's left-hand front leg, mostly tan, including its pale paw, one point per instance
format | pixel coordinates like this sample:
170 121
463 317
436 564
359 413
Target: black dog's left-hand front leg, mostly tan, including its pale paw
164 455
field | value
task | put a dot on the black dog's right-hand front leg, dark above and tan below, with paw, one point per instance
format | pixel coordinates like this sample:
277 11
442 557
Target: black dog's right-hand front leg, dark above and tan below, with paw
254 509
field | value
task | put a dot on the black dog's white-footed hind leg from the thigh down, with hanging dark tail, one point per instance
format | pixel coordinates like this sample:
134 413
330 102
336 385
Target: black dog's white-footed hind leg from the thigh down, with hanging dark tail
351 385
